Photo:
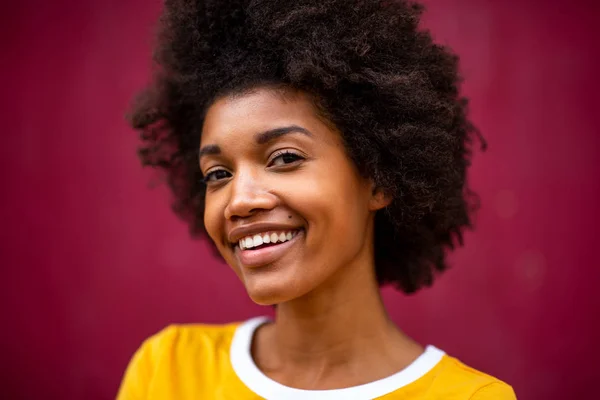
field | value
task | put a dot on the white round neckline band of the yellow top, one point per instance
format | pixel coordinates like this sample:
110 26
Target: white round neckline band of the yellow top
247 371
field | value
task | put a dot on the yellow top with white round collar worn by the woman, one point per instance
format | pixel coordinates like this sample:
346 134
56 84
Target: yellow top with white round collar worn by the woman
214 362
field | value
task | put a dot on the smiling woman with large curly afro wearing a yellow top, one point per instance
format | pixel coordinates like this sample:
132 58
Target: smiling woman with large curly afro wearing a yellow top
322 146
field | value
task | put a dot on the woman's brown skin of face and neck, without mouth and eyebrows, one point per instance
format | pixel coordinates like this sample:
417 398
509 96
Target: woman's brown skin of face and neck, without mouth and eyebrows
331 328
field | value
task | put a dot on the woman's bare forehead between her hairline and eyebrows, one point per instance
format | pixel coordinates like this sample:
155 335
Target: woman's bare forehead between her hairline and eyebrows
256 111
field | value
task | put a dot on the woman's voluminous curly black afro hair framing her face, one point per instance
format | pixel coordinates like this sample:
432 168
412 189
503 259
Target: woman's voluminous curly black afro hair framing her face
371 71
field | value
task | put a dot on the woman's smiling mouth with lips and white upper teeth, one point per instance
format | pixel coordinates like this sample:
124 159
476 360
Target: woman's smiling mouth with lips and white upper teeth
259 250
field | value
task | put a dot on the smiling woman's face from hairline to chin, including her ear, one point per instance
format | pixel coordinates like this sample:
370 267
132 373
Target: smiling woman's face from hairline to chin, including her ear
285 206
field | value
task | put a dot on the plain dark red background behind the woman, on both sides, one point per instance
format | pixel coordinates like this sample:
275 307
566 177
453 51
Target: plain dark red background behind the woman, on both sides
92 261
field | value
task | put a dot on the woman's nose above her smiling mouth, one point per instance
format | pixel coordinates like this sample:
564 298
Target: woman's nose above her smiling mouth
248 196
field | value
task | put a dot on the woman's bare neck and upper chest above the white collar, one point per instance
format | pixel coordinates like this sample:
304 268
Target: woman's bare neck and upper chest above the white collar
342 325
